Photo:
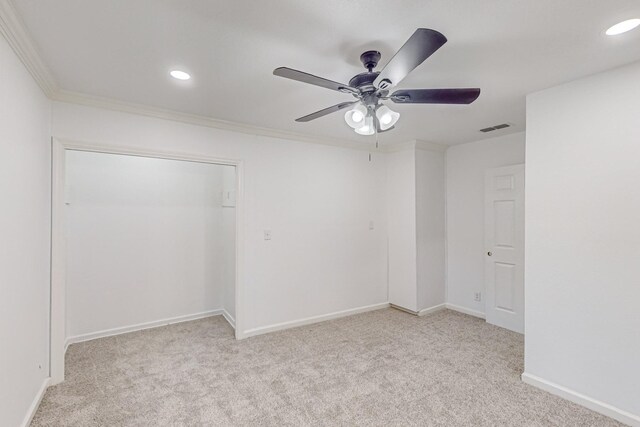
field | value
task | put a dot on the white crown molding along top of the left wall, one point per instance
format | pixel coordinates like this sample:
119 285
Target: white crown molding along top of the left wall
14 31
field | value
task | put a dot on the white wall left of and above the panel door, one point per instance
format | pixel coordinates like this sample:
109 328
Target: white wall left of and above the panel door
465 165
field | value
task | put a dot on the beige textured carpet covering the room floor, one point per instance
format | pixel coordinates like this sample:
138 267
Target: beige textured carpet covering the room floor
379 368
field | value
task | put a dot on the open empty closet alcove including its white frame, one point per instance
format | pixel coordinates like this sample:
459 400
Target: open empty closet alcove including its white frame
140 239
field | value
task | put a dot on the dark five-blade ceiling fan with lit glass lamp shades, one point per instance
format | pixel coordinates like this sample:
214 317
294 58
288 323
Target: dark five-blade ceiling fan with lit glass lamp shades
368 114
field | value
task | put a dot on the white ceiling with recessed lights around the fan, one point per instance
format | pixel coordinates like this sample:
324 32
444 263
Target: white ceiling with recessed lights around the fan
124 49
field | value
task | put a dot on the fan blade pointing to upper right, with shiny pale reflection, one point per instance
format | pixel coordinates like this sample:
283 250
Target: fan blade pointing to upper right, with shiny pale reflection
421 45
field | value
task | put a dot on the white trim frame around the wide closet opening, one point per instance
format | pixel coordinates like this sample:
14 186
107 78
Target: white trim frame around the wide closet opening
57 309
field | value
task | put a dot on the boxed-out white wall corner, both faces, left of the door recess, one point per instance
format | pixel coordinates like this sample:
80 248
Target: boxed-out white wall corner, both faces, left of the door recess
415 199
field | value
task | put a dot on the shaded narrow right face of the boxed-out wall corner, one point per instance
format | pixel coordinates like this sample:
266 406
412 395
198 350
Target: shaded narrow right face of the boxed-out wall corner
430 227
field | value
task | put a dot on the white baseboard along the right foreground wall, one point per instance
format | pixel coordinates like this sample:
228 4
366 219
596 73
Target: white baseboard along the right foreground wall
581 399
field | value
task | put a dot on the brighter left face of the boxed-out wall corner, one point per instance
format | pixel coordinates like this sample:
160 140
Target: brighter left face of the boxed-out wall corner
401 212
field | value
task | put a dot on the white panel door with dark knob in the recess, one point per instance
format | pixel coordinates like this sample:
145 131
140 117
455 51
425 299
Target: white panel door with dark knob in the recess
504 246
